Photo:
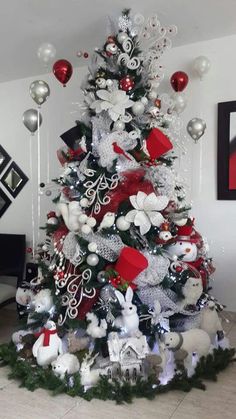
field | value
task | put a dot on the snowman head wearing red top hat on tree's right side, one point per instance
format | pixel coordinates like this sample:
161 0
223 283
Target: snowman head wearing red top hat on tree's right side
185 245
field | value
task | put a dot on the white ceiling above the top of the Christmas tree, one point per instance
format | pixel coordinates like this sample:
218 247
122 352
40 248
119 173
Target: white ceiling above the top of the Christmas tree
73 25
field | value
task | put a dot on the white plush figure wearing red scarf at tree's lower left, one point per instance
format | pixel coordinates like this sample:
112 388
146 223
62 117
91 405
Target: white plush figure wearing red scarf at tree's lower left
48 345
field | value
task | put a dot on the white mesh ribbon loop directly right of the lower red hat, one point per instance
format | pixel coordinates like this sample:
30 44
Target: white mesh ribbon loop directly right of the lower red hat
156 271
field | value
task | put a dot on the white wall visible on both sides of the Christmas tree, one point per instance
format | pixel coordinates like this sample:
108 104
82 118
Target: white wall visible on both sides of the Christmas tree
214 219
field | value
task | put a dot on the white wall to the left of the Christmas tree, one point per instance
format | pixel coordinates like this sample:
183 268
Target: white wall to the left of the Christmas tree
16 139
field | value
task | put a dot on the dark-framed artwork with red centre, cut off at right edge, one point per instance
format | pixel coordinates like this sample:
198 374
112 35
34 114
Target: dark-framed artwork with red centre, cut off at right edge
226 155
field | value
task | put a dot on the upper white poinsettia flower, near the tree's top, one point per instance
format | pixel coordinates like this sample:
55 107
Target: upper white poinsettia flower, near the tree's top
115 102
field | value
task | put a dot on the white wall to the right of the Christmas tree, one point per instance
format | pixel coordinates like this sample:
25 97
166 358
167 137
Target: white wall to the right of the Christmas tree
215 219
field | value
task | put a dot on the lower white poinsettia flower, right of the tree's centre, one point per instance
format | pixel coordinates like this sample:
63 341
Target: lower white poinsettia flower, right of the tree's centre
147 210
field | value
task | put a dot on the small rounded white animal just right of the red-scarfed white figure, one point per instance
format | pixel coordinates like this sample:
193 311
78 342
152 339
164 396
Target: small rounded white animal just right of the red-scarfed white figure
65 364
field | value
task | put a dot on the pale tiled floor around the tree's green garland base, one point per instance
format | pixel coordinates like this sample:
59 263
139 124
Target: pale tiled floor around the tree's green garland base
218 401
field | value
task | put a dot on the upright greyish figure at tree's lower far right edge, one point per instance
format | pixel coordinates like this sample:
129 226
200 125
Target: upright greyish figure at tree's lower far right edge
210 321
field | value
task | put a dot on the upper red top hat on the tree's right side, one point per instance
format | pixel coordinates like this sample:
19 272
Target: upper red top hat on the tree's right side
157 144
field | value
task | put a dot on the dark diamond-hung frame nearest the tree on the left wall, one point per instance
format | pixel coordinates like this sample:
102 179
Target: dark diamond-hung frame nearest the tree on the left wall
14 179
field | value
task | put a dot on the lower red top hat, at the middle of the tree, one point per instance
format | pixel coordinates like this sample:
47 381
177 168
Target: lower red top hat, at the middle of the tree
130 263
